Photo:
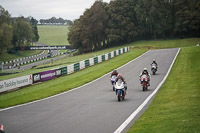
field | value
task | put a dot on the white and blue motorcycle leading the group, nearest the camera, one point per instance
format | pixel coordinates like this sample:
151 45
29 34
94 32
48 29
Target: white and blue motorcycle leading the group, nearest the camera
120 90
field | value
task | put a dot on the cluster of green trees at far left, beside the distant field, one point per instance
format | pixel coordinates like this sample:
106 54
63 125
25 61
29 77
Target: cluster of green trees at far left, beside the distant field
16 31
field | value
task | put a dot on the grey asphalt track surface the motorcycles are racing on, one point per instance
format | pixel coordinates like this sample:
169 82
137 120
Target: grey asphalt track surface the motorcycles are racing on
92 108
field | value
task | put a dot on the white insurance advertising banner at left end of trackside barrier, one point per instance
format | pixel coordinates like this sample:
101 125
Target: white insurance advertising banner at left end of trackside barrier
15 83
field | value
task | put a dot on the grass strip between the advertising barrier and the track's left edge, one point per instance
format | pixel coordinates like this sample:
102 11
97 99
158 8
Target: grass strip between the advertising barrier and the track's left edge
66 83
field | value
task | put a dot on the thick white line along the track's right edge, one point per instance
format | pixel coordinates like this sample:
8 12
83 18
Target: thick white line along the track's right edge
132 116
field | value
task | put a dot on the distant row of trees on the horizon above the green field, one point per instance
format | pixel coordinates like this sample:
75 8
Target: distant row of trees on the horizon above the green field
55 21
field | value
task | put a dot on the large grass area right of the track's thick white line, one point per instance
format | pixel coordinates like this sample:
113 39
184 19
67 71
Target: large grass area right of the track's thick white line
175 109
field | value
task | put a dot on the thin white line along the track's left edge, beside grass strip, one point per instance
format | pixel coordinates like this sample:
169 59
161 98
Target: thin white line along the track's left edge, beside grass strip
72 89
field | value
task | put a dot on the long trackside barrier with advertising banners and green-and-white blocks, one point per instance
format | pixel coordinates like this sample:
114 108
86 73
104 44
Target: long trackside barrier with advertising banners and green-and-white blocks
51 74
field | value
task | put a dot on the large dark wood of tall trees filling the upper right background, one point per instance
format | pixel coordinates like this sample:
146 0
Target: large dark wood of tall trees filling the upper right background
124 21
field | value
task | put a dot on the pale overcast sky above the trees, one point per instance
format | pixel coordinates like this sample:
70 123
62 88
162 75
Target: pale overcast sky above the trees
45 9
